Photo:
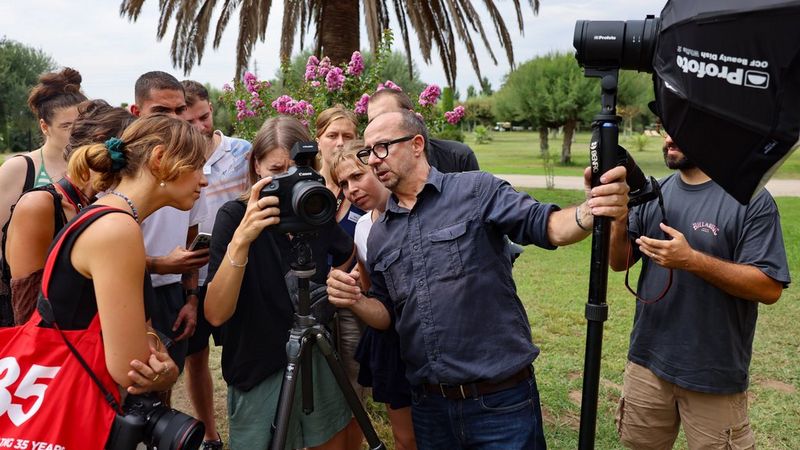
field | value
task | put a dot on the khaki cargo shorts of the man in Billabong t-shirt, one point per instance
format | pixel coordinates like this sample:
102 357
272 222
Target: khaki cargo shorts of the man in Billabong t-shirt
651 411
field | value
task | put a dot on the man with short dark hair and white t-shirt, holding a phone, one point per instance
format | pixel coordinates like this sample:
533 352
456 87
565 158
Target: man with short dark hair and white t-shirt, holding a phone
169 231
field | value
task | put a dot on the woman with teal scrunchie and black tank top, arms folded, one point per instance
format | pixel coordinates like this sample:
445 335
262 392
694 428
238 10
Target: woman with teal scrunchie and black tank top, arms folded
100 269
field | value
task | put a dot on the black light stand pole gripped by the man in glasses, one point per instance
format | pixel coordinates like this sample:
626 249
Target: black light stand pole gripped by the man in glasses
603 157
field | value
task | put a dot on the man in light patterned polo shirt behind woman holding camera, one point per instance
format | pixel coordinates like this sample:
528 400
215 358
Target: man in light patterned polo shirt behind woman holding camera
226 172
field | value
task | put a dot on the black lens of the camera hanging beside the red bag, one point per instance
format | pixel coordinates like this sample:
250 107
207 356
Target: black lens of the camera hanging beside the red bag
174 430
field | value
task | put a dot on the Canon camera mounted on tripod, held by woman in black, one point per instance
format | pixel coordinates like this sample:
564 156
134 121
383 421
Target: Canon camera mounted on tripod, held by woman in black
305 203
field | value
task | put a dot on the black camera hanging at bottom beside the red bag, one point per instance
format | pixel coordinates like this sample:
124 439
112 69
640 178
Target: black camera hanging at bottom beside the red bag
147 420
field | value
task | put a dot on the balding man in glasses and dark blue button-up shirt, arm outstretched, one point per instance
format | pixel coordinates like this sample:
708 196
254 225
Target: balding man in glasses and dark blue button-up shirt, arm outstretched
439 271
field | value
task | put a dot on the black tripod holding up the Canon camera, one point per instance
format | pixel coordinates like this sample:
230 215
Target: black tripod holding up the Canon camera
305 333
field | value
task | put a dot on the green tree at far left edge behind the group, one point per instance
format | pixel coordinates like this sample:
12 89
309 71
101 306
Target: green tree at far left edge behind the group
20 67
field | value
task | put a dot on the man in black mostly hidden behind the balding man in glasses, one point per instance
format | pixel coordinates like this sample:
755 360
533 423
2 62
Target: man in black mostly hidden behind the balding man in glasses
446 156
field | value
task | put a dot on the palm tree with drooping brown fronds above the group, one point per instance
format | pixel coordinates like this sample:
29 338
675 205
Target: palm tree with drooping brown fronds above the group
436 22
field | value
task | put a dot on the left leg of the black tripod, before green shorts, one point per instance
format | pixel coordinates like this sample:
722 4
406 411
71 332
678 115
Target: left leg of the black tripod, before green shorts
280 427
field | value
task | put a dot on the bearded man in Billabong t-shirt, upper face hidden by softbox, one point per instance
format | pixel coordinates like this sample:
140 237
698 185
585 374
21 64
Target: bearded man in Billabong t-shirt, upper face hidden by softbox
690 350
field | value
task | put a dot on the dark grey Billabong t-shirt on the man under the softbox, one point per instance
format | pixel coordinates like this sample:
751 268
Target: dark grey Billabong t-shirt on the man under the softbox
698 336
